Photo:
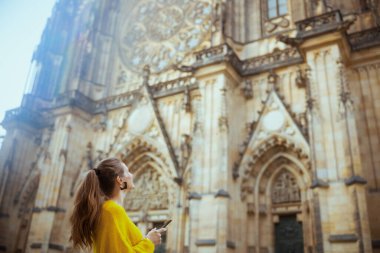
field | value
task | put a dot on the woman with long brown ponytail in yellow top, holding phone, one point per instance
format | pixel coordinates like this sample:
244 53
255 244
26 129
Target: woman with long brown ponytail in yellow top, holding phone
98 219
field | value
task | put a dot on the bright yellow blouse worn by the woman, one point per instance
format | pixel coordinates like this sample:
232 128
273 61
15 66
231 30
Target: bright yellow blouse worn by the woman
116 232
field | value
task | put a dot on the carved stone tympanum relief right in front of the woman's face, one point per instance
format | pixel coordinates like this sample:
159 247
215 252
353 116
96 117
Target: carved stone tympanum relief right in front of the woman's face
151 193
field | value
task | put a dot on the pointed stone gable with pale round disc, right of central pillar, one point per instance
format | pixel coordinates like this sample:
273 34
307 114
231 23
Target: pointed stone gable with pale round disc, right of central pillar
276 129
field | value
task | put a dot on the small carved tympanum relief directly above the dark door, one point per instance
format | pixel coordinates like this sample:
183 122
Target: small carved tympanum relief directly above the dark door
285 189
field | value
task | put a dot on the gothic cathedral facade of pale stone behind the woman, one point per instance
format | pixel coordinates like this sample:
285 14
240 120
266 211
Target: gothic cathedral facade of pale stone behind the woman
253 124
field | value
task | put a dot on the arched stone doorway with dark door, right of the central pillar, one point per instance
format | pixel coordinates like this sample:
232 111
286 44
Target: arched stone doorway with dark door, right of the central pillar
275 189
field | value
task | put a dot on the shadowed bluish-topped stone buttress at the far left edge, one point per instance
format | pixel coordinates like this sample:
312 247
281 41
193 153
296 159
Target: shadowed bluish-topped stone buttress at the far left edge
18 153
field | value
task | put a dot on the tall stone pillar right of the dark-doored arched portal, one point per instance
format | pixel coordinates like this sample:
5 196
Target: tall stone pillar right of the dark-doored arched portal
337 184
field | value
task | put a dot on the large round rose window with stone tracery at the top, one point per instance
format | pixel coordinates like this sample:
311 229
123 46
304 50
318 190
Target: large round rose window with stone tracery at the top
162 33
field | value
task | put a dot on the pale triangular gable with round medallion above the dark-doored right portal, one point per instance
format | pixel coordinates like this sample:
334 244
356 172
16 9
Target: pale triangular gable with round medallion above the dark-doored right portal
276 131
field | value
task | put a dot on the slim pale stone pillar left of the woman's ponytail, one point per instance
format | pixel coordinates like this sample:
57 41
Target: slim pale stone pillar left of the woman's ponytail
51 165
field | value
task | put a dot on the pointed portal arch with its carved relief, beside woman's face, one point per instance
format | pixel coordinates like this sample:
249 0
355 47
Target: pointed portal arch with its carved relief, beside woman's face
155 188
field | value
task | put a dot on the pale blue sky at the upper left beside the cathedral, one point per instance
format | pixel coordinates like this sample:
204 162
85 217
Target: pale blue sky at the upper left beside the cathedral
21 26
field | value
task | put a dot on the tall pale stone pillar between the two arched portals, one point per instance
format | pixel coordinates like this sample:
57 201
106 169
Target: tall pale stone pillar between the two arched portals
208 205
